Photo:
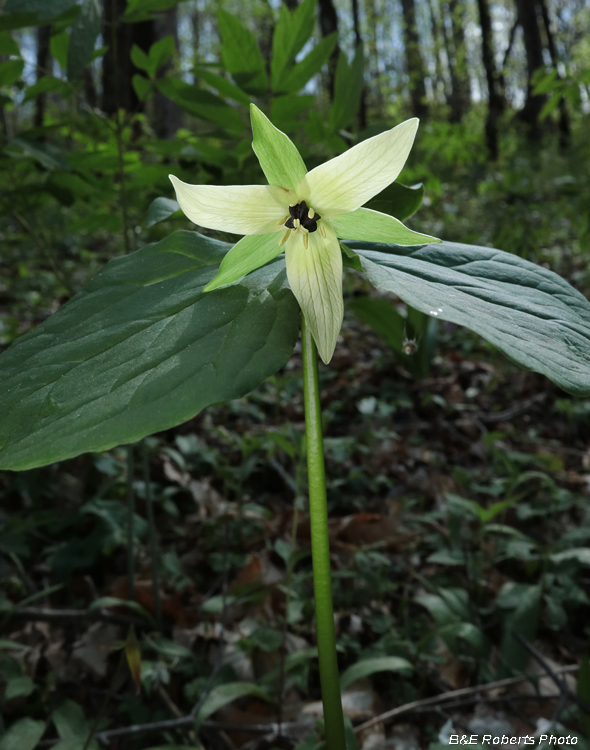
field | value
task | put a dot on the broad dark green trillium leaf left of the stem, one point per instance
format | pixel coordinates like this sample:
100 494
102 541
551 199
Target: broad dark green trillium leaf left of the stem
141 349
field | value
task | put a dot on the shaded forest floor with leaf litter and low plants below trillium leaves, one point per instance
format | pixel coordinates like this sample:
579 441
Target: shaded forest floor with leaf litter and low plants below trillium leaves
458 517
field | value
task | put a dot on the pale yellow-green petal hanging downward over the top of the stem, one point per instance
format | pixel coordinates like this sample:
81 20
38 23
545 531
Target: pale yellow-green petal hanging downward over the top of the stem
315 278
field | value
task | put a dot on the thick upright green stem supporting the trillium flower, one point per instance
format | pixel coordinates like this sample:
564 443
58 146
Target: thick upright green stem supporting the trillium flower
320 548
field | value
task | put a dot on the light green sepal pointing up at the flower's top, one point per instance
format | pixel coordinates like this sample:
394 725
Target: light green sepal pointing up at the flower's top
278 156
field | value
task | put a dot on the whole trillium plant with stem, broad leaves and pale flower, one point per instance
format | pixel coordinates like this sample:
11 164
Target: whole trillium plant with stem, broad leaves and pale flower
189 321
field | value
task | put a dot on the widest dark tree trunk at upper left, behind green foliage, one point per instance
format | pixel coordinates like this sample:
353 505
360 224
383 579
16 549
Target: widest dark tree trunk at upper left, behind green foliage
117 68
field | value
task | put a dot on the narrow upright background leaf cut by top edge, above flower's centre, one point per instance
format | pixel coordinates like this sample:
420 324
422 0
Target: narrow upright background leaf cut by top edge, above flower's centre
291 32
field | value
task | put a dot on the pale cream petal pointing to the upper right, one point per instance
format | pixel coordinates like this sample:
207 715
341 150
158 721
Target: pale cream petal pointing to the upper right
347 182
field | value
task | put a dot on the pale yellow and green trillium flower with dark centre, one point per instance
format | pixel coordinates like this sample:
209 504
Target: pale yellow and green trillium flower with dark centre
303 213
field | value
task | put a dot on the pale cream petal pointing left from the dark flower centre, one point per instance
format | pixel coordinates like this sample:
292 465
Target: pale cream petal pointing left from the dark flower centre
240 209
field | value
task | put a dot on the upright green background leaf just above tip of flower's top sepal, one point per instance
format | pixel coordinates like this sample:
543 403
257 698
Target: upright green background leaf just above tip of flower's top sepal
241 55
